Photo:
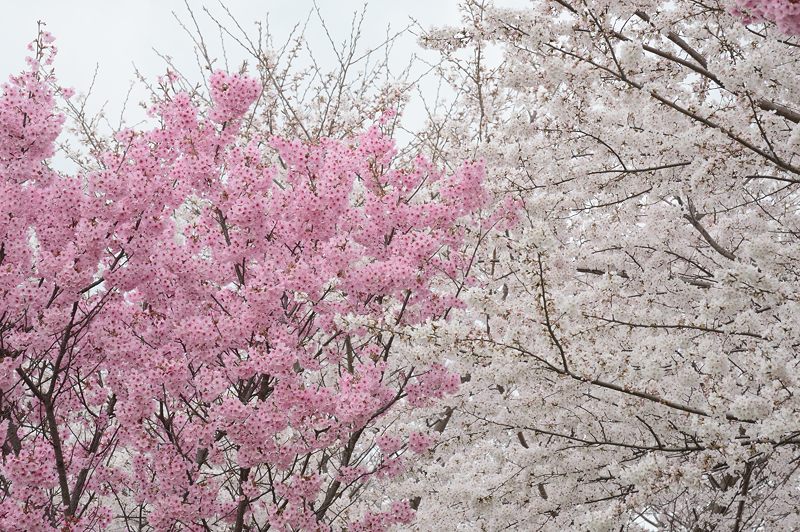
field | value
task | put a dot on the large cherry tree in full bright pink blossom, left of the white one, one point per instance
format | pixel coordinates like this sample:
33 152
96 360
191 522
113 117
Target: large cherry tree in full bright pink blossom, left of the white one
197 327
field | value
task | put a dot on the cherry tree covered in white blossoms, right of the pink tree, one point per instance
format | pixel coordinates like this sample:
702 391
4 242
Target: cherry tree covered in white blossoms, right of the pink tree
631 347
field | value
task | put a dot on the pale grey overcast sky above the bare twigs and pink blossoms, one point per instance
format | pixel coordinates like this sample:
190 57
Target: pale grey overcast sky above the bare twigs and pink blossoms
115 35
